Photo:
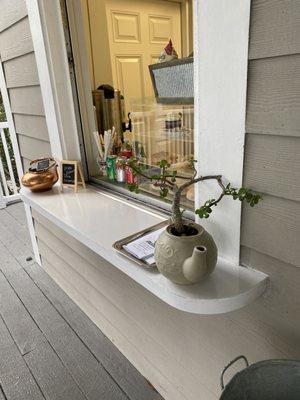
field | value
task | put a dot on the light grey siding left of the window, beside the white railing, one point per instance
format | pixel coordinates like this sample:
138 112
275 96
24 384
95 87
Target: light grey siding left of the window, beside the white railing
16 52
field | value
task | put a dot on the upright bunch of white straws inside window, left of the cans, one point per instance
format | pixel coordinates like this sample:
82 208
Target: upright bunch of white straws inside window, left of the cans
104 143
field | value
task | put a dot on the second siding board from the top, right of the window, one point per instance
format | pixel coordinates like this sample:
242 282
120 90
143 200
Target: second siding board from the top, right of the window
273 100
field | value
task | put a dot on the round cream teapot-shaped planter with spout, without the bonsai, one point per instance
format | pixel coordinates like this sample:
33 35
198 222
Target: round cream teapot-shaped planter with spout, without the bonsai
188 258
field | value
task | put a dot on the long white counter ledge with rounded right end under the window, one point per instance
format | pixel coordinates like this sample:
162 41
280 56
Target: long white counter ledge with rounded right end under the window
98 219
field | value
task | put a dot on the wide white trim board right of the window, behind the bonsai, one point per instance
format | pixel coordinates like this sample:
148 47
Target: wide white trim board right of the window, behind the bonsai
221 32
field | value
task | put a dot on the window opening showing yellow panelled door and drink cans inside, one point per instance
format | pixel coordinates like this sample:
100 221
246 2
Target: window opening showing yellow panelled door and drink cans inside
151 109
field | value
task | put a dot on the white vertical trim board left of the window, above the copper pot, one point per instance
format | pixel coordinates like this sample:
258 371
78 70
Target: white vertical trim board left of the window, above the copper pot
52 64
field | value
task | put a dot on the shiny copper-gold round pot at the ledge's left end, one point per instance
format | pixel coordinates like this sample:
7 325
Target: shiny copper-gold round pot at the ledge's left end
41 181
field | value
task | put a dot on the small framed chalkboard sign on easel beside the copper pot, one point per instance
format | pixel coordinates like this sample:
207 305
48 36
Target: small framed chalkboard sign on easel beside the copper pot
71 175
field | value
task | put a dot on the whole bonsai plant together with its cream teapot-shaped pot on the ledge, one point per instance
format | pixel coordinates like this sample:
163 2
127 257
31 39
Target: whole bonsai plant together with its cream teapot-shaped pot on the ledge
185 252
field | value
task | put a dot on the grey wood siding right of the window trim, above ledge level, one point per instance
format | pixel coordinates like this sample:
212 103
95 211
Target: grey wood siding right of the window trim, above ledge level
272 148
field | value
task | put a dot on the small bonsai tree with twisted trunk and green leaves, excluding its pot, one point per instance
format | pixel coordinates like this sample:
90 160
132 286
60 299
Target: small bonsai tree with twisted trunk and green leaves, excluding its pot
166 181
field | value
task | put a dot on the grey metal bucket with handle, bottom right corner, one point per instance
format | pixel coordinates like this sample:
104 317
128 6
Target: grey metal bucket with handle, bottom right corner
264 380
